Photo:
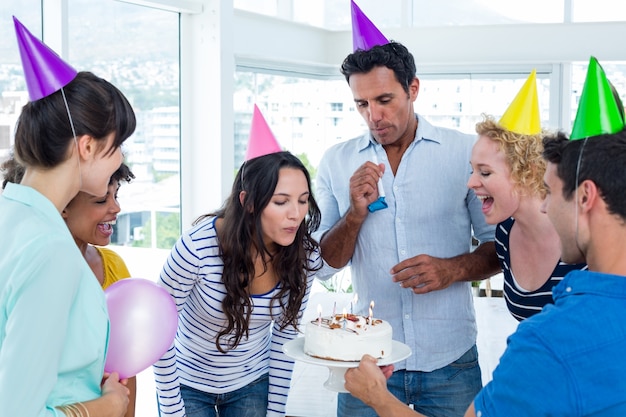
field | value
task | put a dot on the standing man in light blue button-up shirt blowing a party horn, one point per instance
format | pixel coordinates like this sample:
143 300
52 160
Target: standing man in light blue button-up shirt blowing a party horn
413 257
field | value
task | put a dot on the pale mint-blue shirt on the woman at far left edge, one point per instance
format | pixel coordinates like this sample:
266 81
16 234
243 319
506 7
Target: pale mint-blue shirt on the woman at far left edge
53 316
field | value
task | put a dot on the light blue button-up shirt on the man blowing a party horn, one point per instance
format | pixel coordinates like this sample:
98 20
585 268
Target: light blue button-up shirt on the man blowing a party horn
431 211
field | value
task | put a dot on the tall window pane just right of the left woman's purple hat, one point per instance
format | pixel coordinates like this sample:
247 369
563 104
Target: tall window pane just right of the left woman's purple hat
137 49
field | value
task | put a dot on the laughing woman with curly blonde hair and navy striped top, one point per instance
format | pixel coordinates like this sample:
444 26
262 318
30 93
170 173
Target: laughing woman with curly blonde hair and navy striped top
507 176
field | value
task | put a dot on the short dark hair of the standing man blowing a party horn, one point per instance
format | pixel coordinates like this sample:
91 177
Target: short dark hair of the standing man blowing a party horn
393 55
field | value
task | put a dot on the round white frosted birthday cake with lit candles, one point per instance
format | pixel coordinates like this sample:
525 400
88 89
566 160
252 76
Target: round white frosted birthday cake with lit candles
347 338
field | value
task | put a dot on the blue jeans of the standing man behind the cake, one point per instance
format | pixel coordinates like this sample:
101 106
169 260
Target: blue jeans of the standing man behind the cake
445 392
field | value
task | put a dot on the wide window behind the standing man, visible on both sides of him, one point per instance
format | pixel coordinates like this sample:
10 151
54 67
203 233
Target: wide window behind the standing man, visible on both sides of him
308 116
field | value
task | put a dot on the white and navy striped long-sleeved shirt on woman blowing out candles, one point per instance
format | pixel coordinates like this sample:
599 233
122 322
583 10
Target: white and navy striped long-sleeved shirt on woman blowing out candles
193 275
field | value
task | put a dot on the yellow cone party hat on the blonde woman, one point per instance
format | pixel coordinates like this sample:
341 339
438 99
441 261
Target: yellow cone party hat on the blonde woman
522 116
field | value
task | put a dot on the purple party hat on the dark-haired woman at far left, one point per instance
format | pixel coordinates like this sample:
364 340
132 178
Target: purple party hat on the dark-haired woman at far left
44 70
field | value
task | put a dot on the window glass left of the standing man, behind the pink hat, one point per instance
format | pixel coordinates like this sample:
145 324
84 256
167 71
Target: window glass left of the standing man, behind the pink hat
307 116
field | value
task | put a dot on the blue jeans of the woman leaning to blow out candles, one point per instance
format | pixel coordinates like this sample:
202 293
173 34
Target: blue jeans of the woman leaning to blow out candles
249 401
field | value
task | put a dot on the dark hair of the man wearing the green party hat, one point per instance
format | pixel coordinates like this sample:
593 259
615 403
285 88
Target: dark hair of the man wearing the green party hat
602 160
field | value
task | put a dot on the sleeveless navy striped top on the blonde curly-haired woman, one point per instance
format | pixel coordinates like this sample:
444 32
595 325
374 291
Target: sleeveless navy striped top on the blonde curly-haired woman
521 303
